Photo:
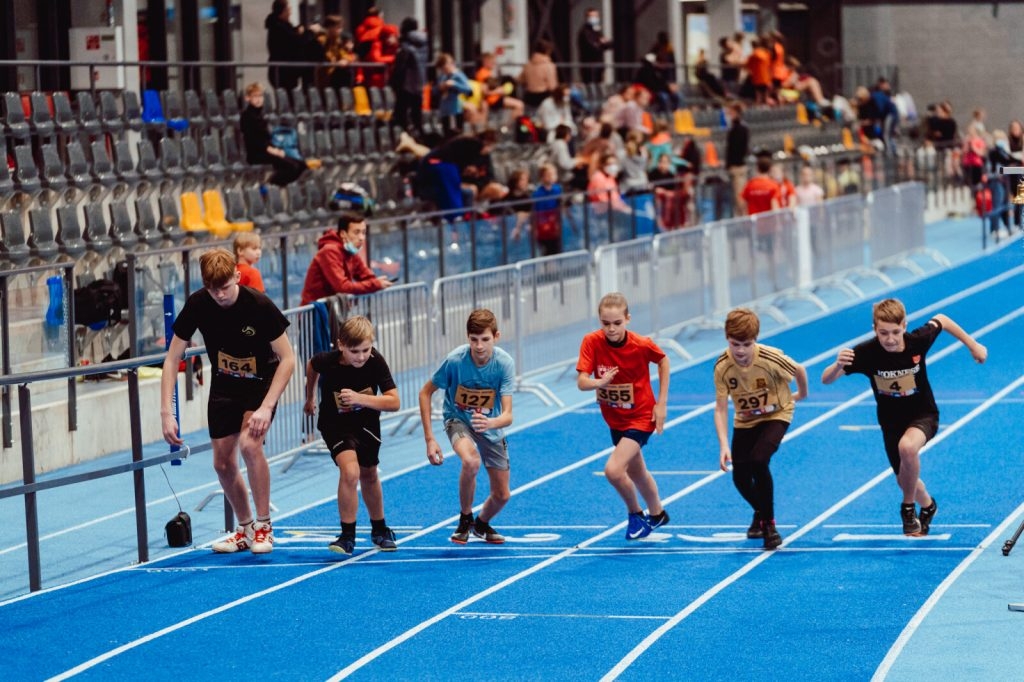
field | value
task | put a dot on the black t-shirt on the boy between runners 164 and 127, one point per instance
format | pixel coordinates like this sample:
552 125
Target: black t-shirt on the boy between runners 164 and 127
373 378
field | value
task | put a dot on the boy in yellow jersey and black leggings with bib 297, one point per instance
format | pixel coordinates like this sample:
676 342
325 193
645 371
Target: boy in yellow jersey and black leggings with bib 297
757 378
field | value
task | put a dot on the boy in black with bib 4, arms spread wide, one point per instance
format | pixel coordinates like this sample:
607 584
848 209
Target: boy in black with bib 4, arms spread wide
894 361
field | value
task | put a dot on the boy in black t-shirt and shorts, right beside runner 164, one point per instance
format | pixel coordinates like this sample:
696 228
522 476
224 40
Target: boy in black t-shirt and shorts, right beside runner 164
356 388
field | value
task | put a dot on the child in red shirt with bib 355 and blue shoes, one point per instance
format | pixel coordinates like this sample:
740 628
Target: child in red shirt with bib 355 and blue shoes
620 365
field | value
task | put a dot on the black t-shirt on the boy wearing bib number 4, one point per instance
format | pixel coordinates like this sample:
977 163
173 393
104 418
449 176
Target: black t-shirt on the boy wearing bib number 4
900 380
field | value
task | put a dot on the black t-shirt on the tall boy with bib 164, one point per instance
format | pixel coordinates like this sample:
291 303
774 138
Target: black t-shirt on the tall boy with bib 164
238 338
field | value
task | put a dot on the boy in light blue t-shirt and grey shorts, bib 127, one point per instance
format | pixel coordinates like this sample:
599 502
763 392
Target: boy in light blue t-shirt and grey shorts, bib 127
479 380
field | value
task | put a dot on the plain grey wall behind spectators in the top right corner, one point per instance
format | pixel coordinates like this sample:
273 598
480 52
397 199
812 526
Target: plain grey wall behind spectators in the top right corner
957 53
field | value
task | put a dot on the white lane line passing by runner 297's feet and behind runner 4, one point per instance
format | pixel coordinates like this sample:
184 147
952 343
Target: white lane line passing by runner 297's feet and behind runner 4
649 642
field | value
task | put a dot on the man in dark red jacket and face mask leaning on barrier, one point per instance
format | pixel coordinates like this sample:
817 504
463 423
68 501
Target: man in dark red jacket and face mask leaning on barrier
337 268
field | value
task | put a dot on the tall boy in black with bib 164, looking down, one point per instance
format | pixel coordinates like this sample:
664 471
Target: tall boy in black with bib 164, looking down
247 344
